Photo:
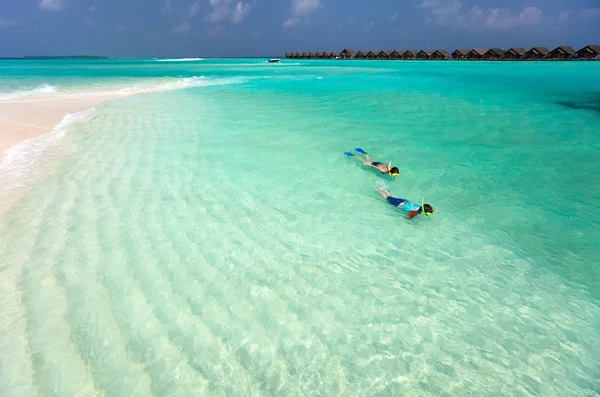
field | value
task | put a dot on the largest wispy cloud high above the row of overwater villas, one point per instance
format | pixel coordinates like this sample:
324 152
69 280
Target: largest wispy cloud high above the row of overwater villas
451 13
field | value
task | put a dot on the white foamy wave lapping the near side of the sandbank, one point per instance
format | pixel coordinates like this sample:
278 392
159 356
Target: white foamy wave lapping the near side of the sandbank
22 157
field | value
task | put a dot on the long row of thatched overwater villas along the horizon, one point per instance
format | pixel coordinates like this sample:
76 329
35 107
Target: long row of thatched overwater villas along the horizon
589 52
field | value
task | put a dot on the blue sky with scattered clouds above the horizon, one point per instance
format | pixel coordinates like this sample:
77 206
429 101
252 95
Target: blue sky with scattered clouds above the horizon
187 28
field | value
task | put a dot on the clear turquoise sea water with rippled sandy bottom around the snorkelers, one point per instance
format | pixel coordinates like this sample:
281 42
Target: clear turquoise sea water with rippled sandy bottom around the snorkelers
208 237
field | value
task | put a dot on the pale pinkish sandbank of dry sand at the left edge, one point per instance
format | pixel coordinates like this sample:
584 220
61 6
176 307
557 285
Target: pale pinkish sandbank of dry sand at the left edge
23 119
